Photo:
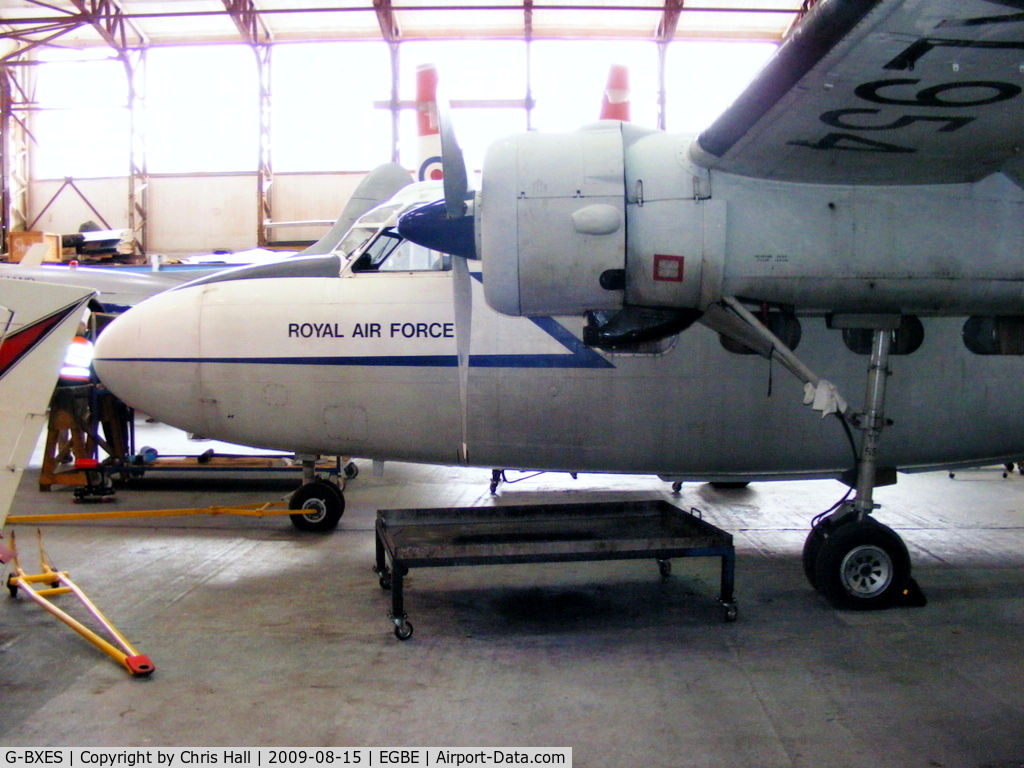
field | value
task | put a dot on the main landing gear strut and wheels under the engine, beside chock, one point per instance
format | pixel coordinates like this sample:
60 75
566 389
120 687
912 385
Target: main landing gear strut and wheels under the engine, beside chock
849 558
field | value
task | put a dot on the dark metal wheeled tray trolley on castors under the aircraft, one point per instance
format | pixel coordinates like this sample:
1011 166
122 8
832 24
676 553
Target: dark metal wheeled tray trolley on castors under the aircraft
535 534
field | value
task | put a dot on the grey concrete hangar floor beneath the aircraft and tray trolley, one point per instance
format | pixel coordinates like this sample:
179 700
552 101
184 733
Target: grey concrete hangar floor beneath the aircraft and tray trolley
266 636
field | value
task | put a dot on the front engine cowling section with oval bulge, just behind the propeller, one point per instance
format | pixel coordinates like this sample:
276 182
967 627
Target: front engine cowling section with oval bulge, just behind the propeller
551 223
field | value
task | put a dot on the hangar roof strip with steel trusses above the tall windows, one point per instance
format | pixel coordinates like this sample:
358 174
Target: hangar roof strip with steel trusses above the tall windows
139 24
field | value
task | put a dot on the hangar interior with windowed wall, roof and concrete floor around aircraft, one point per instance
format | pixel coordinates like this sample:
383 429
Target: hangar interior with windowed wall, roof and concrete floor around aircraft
266 635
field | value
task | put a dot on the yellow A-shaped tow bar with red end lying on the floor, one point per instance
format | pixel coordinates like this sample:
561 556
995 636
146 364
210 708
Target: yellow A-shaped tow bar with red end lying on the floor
61 584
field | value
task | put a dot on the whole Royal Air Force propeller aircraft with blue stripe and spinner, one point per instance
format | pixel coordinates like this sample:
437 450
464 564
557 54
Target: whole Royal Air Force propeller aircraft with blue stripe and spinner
614 294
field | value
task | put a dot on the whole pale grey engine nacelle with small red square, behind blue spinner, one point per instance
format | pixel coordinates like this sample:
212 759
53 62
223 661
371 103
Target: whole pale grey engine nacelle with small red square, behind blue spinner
596 223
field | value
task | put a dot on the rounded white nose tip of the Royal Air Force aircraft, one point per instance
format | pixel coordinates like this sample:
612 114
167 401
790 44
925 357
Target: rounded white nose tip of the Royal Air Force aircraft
149 358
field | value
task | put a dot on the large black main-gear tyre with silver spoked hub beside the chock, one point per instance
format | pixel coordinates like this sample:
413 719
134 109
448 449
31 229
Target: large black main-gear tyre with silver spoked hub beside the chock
863 566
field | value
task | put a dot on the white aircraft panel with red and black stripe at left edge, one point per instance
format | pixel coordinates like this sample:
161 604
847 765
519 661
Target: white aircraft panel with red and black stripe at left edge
37 323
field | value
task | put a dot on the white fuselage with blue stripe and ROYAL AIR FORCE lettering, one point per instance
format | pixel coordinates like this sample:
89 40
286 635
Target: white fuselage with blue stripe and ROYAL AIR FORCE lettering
367 364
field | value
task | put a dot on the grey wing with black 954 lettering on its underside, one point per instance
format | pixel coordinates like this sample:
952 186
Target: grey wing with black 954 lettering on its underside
883 92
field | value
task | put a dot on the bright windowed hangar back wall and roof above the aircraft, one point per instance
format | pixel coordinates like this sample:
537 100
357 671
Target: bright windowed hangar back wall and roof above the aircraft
219 126
